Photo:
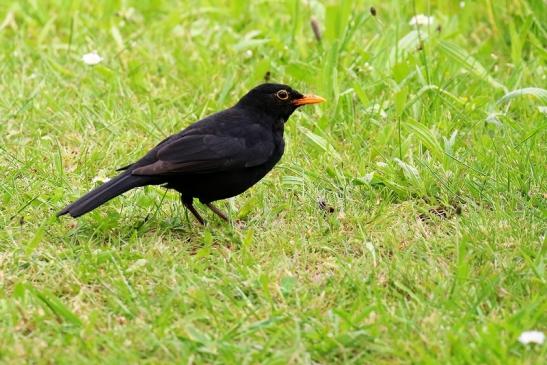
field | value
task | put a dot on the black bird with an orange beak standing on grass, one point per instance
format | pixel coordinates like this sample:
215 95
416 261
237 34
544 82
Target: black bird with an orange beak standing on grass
215 158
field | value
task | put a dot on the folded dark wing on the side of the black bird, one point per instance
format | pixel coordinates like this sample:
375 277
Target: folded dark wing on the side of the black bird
205 153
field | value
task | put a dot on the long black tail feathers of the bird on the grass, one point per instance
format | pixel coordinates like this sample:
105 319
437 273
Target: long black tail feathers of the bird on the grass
100 195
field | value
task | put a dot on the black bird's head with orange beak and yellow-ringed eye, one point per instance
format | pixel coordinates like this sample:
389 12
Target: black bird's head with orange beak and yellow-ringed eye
277 100
